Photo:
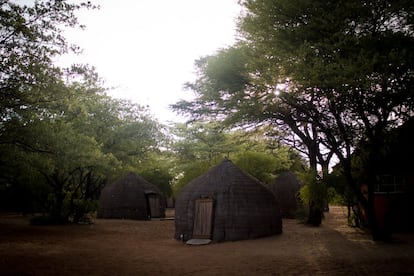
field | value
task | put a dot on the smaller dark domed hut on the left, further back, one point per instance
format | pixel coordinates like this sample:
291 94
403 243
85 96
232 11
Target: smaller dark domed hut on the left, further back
131 197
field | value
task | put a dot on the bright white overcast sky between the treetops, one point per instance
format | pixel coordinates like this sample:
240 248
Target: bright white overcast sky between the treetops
146 49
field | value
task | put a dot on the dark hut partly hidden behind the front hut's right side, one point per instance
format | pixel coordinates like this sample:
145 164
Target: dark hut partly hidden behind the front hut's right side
286 189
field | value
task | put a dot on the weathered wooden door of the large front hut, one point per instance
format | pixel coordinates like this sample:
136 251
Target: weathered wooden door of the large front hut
203 218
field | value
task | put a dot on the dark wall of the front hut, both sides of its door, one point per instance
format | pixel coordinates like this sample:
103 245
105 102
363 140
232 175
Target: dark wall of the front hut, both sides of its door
233 219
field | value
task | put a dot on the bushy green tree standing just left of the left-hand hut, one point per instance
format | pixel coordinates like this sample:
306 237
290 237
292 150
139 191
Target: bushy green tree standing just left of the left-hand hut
75 160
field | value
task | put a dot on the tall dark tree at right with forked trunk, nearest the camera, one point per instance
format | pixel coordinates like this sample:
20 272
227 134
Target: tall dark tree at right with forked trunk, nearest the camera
351 67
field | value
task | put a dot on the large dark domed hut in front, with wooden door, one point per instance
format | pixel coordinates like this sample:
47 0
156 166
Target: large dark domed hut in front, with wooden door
226 204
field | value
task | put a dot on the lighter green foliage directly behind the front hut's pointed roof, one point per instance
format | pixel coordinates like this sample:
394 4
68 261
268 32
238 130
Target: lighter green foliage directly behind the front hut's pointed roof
203 145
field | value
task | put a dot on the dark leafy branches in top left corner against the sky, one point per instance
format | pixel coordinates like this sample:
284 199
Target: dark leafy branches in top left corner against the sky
30 37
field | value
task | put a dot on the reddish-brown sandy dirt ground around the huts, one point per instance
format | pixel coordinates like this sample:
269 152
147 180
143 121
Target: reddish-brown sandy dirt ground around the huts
126 247
